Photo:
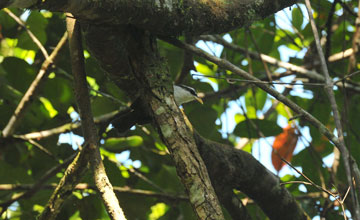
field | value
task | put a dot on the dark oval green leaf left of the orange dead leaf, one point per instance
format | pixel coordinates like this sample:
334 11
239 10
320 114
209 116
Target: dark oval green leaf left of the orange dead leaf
246 128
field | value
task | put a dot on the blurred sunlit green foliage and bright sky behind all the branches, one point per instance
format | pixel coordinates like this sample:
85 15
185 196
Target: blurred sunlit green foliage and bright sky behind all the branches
234 112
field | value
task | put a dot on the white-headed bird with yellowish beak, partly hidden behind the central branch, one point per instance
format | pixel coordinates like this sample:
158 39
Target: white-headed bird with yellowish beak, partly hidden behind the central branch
182 94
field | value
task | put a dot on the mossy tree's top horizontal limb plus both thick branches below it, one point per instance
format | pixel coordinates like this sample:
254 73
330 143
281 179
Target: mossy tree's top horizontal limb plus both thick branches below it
120 34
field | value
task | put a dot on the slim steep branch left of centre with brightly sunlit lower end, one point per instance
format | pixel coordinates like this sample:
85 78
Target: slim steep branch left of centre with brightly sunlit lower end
88 126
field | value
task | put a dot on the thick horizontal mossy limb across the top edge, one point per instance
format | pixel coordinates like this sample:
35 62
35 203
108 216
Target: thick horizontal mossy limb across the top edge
170 17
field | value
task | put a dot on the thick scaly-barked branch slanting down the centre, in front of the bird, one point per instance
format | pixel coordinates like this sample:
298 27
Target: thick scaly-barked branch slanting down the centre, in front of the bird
154 84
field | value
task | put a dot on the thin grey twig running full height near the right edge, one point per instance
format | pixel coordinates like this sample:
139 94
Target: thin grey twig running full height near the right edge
328 88
